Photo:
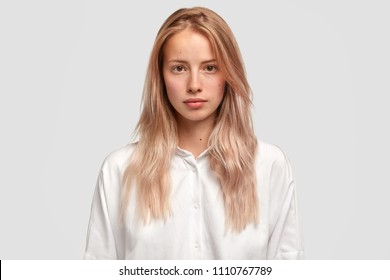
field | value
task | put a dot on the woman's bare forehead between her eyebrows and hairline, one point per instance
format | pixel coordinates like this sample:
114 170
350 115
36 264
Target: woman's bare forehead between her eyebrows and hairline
188 44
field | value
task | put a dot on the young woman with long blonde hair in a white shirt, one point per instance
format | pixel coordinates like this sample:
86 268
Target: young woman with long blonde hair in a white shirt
197 184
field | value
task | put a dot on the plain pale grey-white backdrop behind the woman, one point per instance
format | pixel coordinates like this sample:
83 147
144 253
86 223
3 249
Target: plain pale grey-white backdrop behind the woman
71 76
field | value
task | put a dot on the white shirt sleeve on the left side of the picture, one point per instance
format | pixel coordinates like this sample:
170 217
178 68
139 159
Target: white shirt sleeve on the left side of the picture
101 243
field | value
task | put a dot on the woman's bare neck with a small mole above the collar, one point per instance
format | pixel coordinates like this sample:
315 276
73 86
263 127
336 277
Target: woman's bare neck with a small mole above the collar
194 136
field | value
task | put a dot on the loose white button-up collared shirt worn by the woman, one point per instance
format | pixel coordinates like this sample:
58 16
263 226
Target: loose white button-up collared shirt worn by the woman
196 228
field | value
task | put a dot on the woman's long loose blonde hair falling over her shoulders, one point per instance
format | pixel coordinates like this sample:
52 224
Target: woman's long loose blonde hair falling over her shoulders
232 143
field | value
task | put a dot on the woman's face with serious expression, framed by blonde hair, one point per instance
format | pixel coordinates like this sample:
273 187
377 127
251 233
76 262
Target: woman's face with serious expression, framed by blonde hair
194 83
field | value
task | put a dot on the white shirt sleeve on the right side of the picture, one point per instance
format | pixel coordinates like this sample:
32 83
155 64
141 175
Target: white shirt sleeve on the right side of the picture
285 240
